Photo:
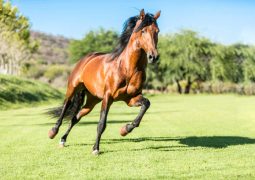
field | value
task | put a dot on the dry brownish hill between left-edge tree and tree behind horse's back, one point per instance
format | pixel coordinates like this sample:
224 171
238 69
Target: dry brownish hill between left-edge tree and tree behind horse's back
52 48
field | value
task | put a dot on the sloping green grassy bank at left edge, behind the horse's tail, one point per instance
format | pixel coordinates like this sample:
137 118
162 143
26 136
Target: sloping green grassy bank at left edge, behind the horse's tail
16 92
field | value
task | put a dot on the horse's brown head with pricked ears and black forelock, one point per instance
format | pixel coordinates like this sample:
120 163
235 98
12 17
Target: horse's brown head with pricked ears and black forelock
146 35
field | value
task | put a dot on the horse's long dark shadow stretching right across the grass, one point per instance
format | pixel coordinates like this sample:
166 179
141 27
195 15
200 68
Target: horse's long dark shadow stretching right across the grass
185 143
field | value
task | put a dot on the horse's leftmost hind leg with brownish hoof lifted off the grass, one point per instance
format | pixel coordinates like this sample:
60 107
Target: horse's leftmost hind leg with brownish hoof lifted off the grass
53 132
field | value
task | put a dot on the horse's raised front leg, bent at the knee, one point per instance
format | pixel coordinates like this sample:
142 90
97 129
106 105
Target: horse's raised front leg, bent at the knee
135 102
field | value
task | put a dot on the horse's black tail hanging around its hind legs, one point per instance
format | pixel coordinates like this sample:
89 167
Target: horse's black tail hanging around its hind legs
74 107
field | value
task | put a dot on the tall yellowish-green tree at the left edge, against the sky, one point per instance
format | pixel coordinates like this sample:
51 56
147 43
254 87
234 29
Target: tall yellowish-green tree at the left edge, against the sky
15 45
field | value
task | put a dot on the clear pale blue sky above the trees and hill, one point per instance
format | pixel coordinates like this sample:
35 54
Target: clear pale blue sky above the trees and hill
224 21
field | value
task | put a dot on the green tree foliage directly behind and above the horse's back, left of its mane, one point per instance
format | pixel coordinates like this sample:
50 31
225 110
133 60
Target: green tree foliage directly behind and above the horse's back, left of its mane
94 41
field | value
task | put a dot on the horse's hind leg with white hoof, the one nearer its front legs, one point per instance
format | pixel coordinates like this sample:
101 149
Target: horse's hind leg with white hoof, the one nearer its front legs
86 109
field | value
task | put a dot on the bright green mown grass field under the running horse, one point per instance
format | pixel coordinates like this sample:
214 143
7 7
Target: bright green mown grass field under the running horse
183 137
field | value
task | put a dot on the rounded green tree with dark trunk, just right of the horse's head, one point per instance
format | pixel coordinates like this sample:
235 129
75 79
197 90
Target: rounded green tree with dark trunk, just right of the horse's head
185 56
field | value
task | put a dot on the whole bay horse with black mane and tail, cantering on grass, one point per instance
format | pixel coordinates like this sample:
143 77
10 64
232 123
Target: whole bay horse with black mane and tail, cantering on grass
116 76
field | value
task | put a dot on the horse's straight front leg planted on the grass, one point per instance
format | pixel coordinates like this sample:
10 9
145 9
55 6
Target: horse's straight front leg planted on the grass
107 101
